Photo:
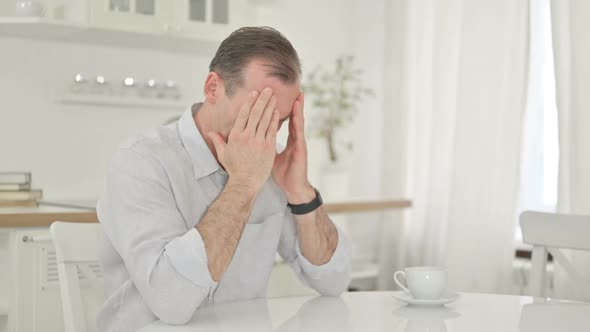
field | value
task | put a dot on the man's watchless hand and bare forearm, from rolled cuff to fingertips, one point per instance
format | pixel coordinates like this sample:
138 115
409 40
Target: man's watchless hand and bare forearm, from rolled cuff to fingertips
247 157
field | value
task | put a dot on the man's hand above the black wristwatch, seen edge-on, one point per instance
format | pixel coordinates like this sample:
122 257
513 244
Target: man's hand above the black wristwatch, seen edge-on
290 167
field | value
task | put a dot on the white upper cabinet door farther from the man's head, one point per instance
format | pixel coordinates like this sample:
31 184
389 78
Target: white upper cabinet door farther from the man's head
150 16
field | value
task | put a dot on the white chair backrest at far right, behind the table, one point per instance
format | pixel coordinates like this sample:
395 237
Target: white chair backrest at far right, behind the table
548 233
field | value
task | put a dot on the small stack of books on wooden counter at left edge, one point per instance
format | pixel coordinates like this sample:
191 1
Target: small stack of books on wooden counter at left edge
16 190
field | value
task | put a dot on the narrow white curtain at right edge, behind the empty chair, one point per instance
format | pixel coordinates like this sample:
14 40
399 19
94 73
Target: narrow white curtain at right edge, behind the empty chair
571 48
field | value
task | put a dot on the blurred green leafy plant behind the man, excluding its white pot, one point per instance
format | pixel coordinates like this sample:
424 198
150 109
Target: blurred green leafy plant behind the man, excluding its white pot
335 95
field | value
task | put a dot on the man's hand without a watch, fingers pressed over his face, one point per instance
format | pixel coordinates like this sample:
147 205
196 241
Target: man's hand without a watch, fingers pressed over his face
249 154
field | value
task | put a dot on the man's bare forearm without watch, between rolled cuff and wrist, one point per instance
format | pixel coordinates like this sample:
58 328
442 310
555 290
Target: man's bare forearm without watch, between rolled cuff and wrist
222 225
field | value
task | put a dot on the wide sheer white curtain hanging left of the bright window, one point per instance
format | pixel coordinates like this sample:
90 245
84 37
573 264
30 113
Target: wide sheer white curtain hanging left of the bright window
464 88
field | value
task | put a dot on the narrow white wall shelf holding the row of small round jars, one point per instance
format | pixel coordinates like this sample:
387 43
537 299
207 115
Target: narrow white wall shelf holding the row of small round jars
122 102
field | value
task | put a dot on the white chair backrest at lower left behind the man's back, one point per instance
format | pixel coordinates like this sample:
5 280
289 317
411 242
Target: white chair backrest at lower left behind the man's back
77 251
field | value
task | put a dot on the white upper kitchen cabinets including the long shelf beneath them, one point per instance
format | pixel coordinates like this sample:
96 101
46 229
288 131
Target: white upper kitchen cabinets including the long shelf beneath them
194 27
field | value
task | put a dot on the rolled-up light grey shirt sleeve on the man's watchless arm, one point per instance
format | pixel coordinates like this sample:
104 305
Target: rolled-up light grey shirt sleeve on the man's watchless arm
166 261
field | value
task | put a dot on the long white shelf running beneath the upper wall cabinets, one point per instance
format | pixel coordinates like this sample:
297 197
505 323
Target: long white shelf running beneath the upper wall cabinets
46 29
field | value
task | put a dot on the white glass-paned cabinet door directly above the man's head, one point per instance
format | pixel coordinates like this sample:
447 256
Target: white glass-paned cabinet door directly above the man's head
211 20
